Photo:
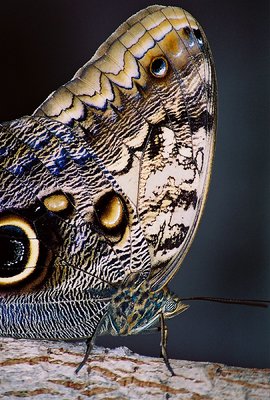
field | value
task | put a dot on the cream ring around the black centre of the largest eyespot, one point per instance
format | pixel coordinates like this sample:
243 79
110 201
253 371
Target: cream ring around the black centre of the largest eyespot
30 266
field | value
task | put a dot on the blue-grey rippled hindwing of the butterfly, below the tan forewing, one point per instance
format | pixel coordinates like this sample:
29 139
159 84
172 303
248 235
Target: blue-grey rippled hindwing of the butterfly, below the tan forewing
40 157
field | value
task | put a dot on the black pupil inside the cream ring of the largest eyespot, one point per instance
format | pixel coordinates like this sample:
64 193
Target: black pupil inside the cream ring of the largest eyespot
14 251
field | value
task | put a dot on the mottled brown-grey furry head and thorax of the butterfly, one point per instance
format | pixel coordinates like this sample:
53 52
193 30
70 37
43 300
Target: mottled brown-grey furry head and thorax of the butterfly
136 308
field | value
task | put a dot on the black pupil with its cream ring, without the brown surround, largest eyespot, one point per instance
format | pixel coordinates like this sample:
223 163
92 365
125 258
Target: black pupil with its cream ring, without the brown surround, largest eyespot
19 249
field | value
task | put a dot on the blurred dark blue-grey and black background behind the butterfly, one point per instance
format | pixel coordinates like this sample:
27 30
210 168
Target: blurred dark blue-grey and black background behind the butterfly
43 43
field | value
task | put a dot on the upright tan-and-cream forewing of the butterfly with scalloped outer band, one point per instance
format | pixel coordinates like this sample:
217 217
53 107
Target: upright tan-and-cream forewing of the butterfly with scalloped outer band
159 130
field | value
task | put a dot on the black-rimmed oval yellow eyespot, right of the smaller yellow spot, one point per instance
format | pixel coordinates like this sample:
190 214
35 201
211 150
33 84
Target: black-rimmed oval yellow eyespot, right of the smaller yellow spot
111 215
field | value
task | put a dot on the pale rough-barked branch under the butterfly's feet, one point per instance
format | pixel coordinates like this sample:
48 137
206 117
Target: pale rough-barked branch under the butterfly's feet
45 371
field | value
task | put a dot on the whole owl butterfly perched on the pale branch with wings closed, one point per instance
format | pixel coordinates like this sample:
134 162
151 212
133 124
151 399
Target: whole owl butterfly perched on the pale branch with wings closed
103 186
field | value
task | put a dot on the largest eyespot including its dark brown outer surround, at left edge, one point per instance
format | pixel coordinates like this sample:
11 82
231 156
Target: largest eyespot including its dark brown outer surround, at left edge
24 260
